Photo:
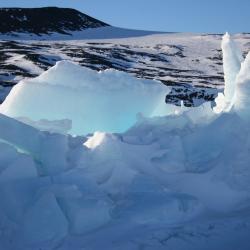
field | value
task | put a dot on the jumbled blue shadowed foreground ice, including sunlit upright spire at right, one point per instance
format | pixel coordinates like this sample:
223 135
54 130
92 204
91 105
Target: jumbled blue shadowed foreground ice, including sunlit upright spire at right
173 182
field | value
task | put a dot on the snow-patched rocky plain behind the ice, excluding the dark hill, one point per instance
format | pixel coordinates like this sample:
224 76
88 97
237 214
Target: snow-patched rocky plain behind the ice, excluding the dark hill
190 63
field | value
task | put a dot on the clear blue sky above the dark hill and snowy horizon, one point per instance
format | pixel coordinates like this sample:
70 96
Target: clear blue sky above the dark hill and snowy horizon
162 15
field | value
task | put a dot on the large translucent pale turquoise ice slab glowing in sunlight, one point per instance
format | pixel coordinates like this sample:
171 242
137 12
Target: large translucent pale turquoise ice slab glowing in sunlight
93 101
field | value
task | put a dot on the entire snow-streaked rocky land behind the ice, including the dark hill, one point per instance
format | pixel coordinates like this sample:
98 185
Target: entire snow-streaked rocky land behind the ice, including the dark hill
32 40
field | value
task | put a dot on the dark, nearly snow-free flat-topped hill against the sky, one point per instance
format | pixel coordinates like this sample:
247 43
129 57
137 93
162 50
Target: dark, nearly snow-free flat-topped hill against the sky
46 20
